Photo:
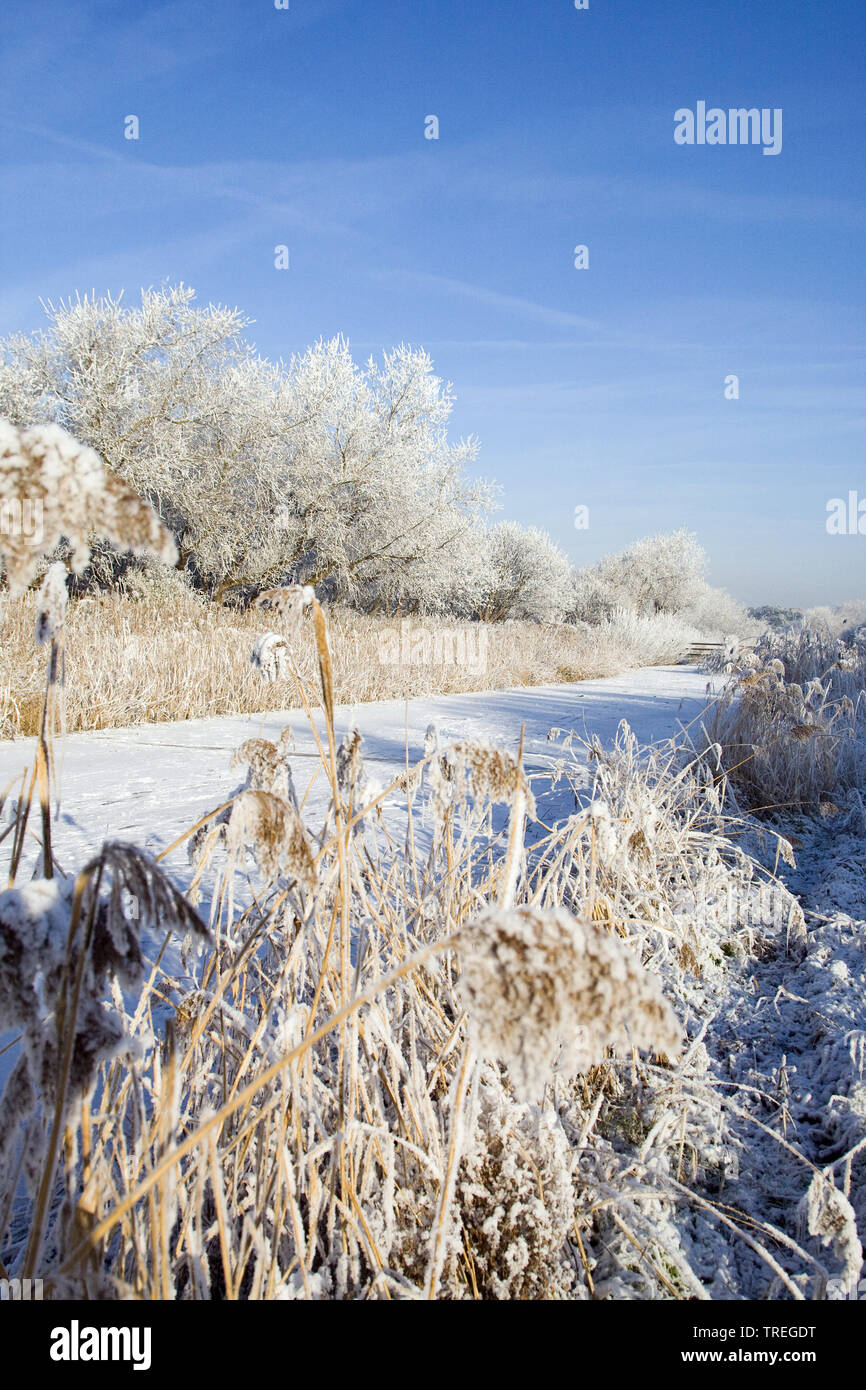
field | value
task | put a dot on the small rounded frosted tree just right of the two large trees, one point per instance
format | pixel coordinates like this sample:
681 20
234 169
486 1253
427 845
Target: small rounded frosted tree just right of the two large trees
530 578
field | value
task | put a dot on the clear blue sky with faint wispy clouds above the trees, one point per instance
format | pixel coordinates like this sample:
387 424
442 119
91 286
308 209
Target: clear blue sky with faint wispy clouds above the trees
601 387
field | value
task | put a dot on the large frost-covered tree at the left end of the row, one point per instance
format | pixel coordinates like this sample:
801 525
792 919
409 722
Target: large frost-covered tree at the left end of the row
168 394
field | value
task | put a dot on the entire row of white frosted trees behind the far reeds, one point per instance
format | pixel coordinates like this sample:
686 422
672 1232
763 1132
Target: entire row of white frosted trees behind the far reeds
316 472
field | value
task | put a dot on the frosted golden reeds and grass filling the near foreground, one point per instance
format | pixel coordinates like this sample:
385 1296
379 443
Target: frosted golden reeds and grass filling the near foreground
400 1063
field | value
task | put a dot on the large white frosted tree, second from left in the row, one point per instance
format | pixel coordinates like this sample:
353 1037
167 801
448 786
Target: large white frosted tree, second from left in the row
379 500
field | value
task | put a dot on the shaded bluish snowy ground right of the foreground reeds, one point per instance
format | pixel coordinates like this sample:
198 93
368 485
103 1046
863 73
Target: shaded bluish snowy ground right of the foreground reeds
786 1054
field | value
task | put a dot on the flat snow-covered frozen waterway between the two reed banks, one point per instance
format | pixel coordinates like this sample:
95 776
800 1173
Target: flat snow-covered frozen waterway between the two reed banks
151 785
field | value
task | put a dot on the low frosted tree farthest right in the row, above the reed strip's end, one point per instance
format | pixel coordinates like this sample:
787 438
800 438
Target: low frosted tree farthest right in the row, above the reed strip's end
657 575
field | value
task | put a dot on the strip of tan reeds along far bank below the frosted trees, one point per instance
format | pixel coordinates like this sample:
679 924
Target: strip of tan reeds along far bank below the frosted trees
162 654
